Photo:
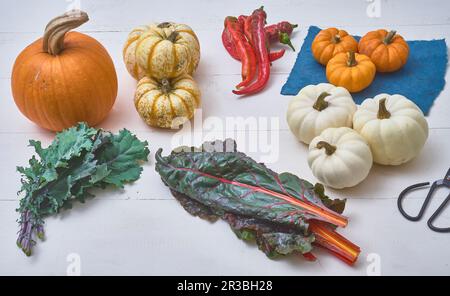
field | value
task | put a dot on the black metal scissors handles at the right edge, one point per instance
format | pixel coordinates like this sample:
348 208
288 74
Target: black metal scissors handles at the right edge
436 184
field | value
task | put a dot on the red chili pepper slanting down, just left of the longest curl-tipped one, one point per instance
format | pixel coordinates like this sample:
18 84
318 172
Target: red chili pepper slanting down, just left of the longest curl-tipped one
244 50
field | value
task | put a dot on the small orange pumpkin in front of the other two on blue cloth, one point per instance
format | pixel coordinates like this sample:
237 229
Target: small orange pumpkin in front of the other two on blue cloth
353 71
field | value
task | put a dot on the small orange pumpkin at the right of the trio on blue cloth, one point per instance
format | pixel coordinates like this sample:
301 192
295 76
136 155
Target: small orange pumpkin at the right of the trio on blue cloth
387 50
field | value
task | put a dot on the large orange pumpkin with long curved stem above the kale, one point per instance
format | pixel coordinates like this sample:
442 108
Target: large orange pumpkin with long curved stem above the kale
62 79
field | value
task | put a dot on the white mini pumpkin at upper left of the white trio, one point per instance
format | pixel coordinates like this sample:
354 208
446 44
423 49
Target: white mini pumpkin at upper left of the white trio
318 107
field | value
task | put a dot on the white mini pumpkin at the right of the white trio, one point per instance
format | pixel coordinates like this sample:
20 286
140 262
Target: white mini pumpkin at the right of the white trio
394 127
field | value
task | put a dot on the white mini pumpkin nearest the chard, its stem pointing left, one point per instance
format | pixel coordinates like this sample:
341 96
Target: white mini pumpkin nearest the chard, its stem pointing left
340 157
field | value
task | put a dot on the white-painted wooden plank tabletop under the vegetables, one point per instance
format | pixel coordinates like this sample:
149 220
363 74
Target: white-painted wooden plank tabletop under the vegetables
142 230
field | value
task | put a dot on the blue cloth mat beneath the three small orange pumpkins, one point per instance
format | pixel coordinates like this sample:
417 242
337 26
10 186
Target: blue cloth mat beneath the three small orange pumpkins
421 79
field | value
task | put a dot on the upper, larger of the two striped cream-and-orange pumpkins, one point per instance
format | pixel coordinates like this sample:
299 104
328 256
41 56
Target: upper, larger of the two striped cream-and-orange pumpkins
164 50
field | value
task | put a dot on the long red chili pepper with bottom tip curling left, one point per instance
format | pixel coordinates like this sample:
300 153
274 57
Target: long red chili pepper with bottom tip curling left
258 20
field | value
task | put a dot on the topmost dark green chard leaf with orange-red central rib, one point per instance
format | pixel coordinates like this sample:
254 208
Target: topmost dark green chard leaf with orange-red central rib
235 183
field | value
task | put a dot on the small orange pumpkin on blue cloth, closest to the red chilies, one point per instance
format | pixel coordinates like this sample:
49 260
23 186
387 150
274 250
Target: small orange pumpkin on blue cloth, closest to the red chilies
329 42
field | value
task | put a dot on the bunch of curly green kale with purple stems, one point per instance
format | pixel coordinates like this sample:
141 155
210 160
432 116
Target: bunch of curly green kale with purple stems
79 159
